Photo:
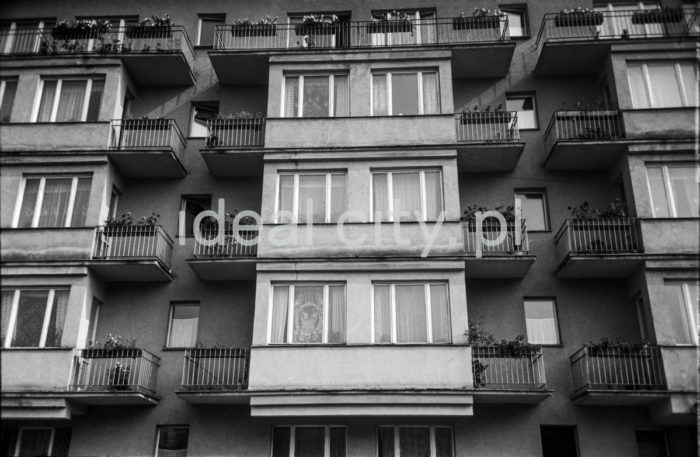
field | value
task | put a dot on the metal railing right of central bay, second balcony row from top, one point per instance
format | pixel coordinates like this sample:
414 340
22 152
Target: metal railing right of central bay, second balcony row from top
489 126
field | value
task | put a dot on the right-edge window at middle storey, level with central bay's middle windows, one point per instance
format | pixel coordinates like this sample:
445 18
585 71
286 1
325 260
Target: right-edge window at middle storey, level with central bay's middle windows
674 190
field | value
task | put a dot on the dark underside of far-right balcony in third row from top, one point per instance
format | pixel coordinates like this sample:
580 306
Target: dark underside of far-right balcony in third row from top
599 266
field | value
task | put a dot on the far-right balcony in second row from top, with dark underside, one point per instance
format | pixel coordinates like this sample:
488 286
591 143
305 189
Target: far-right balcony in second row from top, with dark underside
584 140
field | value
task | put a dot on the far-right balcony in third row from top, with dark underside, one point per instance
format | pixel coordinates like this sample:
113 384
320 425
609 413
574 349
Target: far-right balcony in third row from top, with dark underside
598 248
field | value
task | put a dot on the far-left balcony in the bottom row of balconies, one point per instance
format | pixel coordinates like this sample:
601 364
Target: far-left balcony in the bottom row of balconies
114 377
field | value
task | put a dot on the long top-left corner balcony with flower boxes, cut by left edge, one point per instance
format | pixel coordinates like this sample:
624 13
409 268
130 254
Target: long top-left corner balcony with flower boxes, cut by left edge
157 57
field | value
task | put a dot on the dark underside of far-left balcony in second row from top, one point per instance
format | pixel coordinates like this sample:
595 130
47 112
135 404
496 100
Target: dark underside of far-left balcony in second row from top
155 163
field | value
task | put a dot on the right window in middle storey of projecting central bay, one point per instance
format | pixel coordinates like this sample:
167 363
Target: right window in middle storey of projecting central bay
412 195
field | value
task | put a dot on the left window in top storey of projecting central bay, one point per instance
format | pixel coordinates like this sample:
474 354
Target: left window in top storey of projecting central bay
316 96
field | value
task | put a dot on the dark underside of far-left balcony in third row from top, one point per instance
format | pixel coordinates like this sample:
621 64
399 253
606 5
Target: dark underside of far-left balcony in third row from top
132 270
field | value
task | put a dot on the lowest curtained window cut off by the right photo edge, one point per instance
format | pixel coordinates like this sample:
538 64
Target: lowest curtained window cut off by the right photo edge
683 310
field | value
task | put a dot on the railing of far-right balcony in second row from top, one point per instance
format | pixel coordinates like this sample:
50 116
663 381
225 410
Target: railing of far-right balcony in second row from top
583 126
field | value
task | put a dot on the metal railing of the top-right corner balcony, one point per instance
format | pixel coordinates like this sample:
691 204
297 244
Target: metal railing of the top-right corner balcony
618 25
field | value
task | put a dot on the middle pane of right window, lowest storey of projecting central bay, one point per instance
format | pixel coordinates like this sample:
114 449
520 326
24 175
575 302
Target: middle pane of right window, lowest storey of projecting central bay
411 324
